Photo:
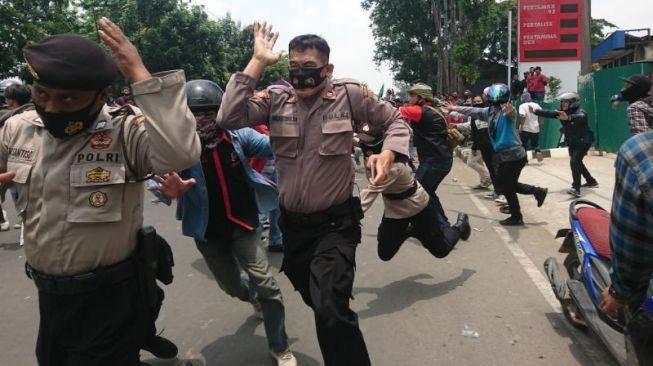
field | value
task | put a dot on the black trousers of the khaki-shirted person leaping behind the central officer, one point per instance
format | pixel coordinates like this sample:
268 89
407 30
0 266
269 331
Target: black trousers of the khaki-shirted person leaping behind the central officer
438 241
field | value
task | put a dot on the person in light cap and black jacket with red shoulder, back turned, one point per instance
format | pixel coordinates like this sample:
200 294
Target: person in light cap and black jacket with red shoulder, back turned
433 149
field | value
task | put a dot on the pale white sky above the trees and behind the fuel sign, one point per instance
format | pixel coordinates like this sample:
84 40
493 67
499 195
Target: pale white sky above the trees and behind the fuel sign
345 26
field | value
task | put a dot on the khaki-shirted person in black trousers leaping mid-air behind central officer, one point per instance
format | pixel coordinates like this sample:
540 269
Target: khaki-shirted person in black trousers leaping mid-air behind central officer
408 210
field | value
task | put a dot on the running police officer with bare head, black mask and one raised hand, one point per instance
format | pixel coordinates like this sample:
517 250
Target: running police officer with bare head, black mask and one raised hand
311 129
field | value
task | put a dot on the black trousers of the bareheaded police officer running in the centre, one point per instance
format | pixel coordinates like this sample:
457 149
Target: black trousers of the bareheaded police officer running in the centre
319 261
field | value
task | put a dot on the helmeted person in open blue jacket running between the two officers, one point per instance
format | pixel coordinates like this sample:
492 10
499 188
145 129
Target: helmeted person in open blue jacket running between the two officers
218 202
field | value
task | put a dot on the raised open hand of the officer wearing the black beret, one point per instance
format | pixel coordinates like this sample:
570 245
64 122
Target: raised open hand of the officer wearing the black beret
127 58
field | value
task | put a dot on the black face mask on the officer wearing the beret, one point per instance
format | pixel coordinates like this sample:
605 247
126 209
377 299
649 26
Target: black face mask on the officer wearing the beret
66 124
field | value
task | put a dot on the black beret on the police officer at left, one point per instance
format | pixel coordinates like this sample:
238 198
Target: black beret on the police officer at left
70 61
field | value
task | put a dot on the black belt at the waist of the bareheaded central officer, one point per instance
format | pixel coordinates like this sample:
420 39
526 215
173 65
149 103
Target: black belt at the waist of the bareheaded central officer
350 209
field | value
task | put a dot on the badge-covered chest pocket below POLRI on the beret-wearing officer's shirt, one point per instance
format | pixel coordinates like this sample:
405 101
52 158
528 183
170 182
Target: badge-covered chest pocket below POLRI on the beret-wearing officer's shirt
96 193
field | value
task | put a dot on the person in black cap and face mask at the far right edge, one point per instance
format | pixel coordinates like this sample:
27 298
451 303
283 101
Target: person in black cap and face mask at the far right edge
640 109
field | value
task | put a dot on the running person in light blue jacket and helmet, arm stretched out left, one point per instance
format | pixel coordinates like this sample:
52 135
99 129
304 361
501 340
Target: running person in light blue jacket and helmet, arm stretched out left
508 149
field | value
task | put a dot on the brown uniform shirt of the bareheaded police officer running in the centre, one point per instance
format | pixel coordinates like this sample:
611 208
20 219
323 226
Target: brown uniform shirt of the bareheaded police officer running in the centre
312 142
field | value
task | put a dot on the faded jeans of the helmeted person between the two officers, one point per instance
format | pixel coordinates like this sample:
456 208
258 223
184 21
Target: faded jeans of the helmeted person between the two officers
241 269
